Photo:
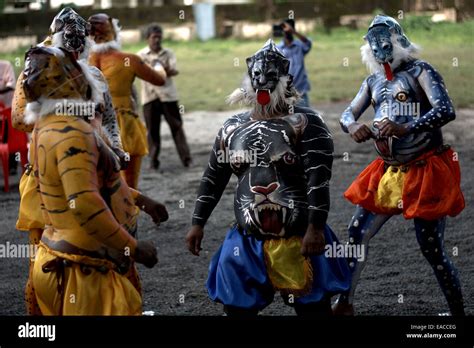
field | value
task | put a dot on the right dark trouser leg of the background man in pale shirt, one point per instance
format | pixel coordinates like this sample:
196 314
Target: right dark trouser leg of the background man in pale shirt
173 117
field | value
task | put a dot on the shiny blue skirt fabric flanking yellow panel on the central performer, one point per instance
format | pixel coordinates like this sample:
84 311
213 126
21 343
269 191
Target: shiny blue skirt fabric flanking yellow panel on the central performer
238 273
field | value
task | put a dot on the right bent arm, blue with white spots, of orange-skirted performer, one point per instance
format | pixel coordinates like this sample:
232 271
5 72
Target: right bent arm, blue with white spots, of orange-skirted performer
442 110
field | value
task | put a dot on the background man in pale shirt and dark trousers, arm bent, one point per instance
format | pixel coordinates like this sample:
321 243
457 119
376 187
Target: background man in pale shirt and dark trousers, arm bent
158 100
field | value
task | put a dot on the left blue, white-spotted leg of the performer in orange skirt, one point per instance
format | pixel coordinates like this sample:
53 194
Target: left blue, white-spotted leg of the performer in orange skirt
363 226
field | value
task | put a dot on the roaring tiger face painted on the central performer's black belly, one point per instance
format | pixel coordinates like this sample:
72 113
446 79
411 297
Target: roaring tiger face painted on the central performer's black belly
270 199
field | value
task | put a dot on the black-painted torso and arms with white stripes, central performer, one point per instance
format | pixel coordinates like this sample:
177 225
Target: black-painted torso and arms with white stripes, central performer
283 166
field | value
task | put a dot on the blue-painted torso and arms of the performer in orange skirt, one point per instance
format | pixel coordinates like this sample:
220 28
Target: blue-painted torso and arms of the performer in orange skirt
415 96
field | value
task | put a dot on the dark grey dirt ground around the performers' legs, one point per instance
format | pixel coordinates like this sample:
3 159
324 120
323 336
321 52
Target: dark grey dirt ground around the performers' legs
177 285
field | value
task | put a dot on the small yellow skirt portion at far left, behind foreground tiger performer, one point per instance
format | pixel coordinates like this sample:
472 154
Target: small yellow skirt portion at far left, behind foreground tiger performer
29 213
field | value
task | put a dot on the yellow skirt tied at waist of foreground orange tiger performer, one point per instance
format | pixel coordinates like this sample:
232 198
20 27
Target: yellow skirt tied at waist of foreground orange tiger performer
94 293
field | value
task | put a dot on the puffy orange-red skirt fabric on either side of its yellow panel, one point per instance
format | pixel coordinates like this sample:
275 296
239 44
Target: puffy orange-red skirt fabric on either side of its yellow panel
431 187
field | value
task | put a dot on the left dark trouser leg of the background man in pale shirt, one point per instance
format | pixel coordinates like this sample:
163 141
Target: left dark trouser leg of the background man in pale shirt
152 114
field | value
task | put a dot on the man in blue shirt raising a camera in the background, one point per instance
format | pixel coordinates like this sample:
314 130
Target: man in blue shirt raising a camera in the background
295 50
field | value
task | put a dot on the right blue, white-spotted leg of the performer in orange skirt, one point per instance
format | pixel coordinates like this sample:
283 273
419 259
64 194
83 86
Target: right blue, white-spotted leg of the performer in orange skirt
430 236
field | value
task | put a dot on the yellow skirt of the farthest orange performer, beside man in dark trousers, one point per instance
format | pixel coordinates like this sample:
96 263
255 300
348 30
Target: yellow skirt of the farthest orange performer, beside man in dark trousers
132 132
